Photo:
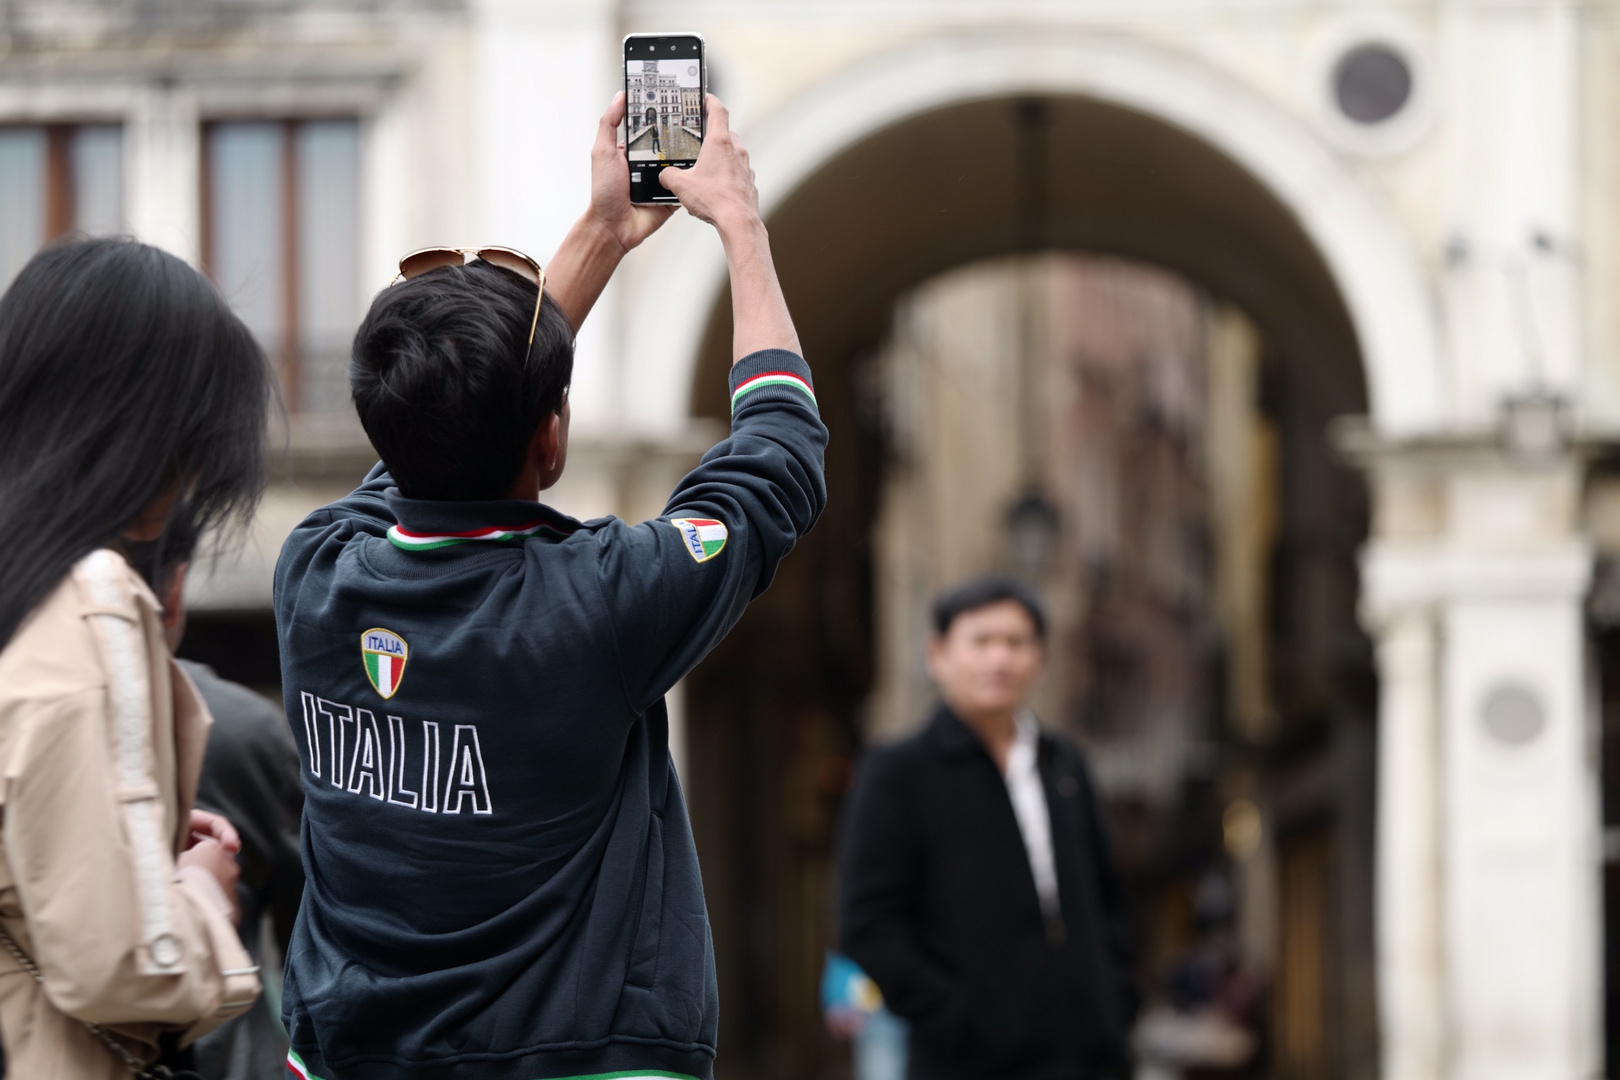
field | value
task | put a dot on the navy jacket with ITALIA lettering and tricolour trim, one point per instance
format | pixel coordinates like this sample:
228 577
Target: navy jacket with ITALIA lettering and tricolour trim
501 875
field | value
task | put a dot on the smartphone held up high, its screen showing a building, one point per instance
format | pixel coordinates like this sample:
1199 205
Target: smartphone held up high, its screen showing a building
665 80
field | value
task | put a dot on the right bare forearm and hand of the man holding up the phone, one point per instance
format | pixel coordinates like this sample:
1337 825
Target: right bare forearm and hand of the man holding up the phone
720 190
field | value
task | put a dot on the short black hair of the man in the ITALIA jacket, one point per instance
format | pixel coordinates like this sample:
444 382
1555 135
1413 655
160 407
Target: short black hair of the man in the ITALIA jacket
443 383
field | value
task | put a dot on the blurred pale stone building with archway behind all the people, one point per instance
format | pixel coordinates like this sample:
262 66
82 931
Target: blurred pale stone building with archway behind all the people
1279 342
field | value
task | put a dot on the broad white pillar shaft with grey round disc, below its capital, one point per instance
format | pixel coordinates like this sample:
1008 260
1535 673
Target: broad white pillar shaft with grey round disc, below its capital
1524 938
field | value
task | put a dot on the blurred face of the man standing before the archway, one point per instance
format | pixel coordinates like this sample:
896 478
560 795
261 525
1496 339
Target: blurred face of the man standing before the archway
989 660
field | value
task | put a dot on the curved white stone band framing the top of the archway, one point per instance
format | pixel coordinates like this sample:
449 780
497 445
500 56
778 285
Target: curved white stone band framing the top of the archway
1366 255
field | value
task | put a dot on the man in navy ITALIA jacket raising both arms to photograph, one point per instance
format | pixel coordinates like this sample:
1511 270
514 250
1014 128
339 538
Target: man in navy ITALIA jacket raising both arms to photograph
501 875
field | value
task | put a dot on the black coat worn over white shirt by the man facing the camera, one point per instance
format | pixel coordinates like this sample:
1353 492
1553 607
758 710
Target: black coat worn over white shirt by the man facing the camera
939 906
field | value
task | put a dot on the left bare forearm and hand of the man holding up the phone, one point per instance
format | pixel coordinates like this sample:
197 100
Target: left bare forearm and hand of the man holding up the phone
610 227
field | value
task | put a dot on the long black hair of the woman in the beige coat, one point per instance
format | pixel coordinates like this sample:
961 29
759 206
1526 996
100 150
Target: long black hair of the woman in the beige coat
124 380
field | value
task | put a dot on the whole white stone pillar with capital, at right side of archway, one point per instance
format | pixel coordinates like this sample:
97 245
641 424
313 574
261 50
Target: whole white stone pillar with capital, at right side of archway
1490 831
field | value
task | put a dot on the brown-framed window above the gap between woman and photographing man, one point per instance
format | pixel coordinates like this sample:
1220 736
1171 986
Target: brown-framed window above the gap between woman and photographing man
281 239
